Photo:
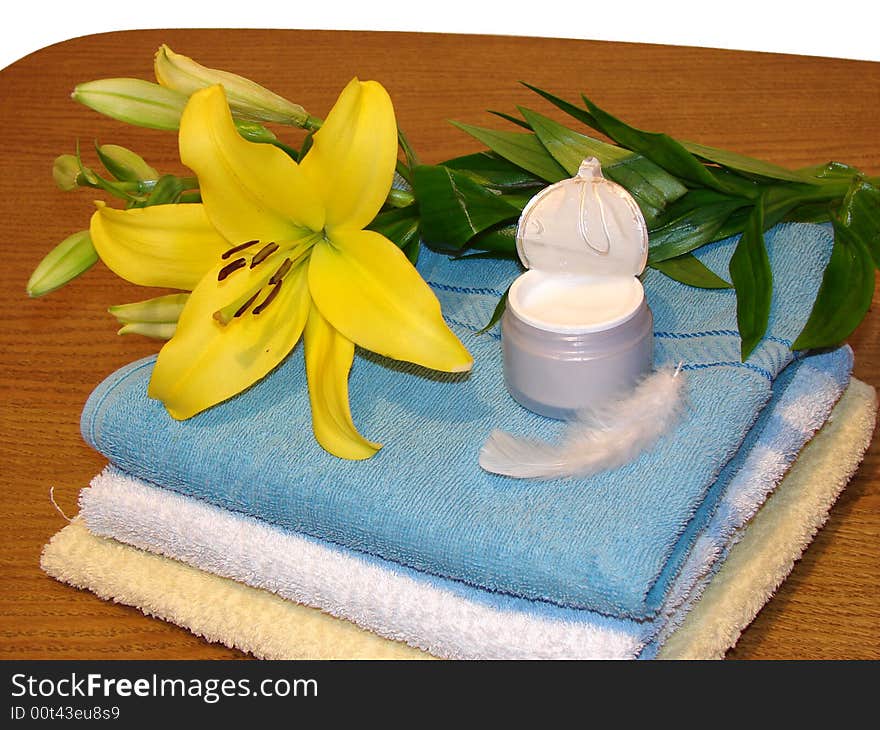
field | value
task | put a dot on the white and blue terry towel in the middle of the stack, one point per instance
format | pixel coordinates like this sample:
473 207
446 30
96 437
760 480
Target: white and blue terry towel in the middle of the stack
445 617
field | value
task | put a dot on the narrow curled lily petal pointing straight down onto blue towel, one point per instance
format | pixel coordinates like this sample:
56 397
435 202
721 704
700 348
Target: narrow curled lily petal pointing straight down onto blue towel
328 361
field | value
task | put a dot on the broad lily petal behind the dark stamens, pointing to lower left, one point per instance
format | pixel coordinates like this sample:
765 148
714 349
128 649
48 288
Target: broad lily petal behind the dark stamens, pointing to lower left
206 362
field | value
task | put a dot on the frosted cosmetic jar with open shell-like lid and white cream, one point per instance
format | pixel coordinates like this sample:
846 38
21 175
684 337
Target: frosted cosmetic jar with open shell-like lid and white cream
577 329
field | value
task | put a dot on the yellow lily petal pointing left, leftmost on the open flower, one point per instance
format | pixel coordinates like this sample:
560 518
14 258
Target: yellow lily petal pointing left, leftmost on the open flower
164 245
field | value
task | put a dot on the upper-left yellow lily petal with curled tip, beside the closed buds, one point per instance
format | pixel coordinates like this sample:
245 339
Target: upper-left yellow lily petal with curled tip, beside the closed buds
250 190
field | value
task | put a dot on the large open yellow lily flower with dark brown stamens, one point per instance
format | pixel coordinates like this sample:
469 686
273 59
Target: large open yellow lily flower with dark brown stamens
276 251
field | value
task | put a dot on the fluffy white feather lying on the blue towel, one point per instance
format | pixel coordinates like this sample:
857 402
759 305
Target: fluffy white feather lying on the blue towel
598 439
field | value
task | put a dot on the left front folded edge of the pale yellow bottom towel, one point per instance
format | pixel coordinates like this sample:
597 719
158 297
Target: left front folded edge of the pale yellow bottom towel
218 609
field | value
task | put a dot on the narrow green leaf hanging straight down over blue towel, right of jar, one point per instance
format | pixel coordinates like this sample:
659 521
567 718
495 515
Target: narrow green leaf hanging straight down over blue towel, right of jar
751 276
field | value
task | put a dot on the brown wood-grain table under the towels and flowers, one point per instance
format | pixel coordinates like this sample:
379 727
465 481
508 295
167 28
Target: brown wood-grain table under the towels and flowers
792 110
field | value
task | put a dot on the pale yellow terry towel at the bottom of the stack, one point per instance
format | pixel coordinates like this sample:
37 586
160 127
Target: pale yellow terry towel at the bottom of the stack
263 624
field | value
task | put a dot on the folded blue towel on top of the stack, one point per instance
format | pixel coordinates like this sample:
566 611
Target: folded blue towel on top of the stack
612 543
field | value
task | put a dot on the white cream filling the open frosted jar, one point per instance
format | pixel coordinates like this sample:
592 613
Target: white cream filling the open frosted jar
574 304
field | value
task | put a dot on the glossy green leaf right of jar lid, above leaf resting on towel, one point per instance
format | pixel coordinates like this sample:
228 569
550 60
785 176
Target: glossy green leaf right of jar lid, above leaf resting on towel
692 221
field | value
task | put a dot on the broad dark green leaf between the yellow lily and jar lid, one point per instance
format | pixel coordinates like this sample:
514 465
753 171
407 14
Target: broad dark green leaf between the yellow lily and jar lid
454 208
